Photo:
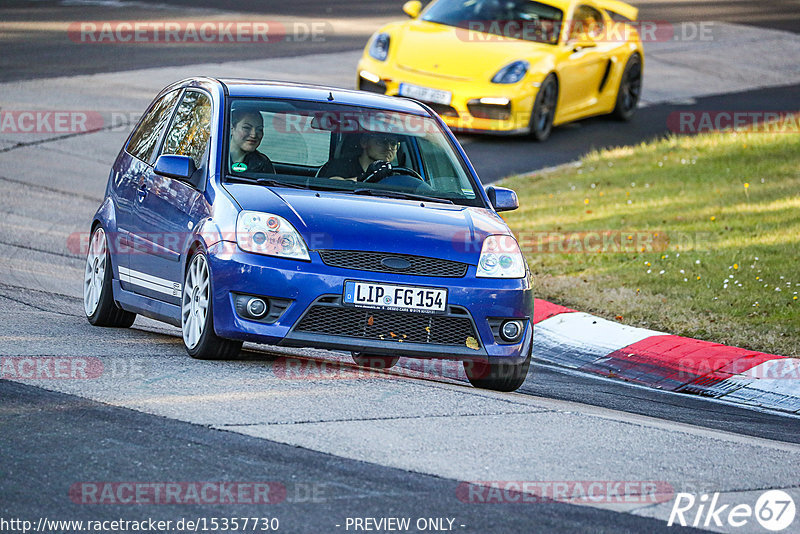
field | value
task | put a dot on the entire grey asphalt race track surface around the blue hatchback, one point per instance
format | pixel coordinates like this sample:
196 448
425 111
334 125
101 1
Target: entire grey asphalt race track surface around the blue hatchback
335 442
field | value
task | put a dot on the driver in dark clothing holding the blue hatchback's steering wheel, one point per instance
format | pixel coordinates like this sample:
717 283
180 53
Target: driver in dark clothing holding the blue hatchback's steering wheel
372 164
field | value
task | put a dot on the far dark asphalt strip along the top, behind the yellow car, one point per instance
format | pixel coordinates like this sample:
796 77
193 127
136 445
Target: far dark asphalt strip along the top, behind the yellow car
35 43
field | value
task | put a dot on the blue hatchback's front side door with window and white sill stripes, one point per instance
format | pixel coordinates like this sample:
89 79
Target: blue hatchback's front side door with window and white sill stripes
166 211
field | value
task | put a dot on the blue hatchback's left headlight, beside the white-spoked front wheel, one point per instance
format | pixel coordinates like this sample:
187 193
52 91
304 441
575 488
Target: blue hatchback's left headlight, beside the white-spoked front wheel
268 234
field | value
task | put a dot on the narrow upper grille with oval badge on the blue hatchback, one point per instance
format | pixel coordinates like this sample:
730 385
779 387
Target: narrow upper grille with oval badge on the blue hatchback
374 261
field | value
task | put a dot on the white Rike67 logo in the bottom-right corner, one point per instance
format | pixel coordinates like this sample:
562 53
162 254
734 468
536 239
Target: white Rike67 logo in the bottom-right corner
774 510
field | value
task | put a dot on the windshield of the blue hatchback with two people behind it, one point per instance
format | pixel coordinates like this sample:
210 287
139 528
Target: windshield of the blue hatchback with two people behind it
318 145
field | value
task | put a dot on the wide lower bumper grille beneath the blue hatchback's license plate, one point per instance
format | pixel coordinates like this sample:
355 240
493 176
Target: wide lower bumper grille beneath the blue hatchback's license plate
455 329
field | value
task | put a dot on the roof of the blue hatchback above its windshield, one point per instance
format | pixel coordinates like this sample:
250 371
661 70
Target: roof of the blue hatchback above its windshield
318 93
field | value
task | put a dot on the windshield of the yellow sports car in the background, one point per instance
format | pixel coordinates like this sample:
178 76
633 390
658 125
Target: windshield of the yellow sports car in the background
507 19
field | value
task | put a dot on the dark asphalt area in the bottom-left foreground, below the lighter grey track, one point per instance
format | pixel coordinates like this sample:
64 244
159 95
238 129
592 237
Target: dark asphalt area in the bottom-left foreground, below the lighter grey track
323 490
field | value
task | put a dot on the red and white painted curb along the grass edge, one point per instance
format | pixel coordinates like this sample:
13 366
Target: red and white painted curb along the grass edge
577 340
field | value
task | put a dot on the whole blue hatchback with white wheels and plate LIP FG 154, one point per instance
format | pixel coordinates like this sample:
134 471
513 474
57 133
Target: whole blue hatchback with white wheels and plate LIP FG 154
308 216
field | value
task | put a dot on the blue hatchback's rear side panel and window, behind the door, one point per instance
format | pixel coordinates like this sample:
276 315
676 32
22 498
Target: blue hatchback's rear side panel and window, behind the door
128 176
